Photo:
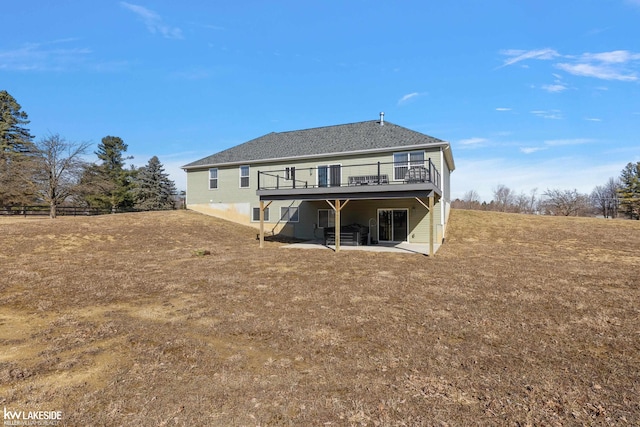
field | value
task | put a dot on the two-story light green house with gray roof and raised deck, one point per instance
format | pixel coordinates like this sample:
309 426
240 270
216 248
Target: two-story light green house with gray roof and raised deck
389 182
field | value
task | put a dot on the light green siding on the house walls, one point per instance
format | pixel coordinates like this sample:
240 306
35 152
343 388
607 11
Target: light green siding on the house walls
231 202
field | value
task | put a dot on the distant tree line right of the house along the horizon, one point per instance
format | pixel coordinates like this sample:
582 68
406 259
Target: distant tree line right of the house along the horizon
616 197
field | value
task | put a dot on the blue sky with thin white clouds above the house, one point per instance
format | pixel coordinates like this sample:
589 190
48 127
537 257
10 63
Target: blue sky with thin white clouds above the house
531 94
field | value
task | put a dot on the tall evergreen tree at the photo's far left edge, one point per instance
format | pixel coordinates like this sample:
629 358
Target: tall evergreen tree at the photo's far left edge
16 148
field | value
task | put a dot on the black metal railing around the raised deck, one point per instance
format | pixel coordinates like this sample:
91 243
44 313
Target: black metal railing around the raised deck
338 175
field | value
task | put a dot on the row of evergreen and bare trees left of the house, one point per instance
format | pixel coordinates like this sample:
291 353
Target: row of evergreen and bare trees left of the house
53 171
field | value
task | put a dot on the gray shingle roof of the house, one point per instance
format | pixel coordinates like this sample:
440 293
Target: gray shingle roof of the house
361 136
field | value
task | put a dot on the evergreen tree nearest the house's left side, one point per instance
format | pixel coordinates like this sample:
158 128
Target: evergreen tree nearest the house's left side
153 188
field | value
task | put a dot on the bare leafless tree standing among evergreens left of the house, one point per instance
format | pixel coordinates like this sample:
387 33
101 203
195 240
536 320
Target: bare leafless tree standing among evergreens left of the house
60 166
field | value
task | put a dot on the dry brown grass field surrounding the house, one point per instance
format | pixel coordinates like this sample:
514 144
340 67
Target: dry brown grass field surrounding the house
518 320
